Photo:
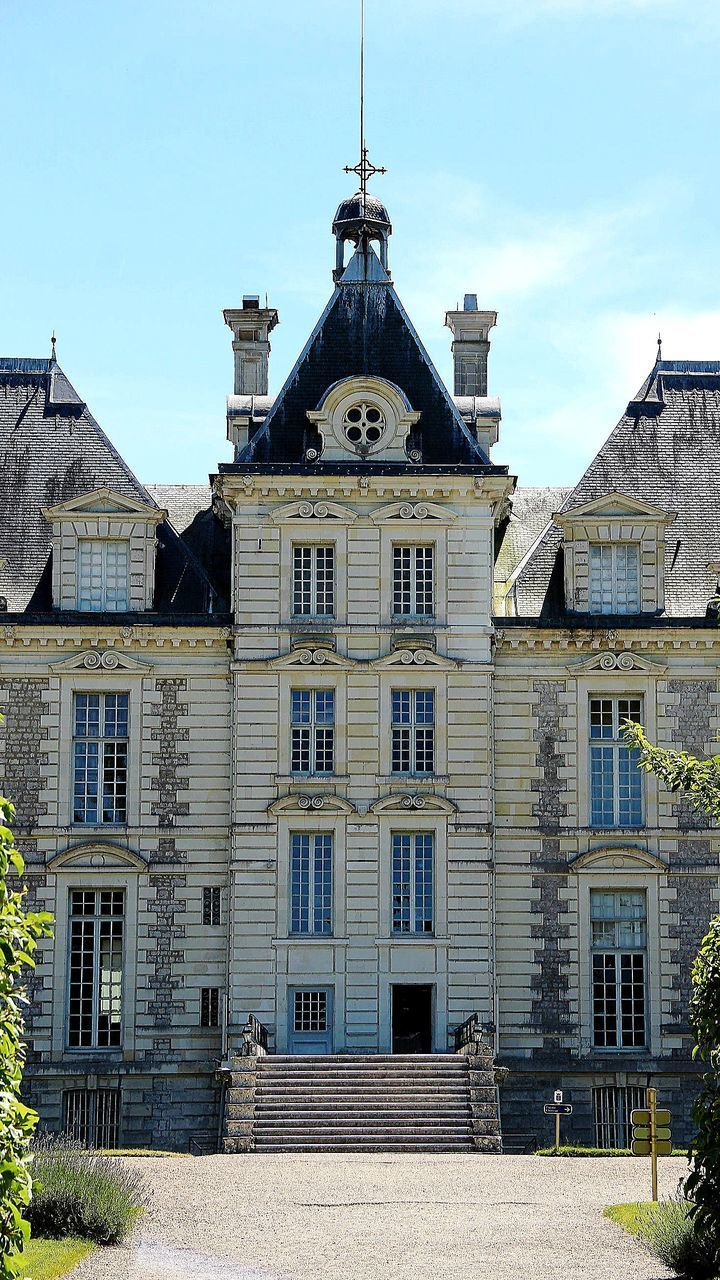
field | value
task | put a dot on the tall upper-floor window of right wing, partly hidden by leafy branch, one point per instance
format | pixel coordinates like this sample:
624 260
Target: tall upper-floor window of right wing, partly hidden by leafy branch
617 790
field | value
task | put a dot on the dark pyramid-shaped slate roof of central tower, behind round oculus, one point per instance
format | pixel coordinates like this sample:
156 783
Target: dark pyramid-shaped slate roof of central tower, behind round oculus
364 330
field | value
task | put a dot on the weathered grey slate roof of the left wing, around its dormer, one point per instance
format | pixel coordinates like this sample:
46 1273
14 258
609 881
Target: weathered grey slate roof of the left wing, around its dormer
52 450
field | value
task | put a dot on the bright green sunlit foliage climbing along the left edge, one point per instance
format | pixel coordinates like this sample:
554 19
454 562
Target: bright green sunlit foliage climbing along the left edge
20 931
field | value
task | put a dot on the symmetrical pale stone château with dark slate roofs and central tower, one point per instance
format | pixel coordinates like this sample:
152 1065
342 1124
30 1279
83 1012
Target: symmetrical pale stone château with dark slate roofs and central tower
326 756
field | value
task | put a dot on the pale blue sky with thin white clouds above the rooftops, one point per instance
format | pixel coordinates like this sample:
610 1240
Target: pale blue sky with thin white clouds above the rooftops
557 157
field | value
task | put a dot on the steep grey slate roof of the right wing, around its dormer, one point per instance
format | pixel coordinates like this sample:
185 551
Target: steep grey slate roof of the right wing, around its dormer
664 451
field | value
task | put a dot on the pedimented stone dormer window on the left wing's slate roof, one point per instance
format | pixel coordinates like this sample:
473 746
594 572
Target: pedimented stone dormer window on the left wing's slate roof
104 548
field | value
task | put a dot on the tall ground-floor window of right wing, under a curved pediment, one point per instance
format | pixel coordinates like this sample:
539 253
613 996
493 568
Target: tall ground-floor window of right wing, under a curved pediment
619 963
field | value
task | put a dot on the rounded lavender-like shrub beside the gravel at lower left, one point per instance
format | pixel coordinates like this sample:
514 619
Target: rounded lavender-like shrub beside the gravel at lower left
79 1192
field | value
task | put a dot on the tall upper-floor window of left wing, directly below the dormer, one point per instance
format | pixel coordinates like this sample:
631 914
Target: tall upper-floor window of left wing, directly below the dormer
101 758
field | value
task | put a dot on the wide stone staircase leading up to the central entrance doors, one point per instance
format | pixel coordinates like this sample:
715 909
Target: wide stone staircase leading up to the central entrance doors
436 1103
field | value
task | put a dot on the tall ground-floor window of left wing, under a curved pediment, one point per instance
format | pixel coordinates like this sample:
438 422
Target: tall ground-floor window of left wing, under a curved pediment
97 968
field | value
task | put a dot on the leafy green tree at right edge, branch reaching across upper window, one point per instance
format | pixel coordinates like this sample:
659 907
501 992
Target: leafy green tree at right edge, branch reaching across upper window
700 781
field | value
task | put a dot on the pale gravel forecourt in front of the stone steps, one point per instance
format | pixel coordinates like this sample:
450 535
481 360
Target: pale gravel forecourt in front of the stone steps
397 1218
